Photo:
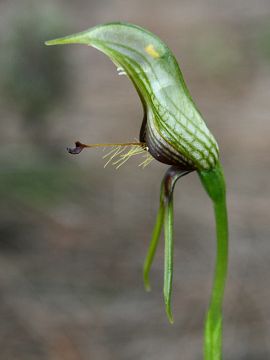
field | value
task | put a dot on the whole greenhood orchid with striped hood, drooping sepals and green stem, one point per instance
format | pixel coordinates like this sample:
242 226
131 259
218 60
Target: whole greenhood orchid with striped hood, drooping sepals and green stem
174 133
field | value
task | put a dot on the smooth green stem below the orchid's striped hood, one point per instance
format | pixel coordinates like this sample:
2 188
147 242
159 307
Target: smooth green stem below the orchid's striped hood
214 184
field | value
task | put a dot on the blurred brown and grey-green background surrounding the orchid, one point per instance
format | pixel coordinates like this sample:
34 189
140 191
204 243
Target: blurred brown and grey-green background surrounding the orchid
73 235
